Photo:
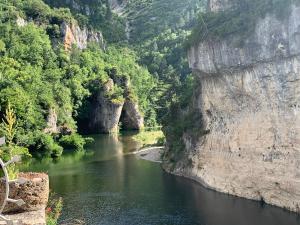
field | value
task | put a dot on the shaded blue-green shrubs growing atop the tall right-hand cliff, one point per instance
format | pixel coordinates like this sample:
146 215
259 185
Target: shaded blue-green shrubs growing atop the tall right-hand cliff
240 21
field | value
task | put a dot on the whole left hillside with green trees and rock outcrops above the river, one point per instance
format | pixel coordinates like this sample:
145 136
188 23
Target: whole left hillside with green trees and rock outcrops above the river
56 73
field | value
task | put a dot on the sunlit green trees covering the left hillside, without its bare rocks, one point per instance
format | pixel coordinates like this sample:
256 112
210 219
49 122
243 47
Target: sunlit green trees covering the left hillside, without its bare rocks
37 77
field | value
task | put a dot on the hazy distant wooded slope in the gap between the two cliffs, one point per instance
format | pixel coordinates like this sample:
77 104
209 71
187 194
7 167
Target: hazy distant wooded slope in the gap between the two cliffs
158 31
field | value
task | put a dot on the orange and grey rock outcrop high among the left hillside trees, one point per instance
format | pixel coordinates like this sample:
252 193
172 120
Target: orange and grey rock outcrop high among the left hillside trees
74 35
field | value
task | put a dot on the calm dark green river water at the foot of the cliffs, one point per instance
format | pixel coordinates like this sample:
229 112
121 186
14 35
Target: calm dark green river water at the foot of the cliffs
108 186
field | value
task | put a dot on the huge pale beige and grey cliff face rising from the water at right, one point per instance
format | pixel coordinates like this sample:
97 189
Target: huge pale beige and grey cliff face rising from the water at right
249 105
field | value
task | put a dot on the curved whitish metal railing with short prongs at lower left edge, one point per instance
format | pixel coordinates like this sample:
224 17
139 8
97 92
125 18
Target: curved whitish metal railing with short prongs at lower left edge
6 200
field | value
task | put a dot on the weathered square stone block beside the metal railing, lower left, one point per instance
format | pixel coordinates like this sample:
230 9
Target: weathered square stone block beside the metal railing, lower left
34 192
